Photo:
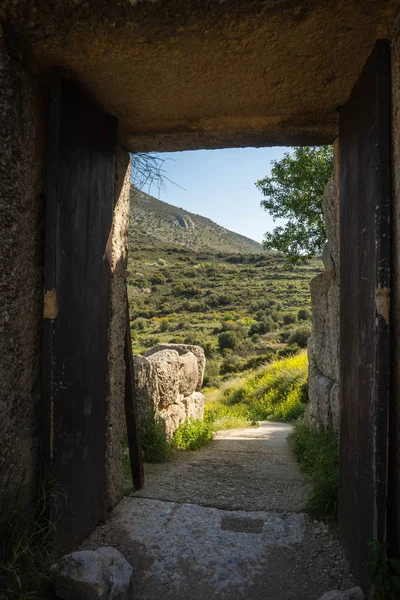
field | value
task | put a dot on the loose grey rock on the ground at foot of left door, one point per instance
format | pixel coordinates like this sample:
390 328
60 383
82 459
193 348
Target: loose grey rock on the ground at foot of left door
103 574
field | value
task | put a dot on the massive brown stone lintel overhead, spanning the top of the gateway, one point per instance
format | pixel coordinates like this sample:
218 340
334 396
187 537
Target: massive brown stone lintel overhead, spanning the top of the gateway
229 92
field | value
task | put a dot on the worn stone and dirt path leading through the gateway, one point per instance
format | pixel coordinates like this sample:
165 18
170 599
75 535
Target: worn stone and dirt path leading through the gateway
226 522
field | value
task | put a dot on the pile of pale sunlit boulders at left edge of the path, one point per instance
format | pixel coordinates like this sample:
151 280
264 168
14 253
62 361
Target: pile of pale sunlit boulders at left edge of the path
166 380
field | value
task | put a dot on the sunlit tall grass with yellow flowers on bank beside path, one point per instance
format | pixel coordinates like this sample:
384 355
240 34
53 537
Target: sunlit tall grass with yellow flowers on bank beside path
275 392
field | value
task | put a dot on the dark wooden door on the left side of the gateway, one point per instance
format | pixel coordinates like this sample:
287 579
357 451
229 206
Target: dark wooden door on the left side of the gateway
80 197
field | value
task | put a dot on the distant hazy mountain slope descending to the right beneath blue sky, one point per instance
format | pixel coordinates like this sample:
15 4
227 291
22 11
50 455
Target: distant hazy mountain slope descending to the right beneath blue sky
158 223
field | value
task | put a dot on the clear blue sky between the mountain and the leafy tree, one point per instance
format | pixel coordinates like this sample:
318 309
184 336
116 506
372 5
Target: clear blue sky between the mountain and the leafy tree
219 184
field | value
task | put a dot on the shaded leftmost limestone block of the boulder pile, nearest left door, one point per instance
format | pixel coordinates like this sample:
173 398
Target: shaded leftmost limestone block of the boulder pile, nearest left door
146 385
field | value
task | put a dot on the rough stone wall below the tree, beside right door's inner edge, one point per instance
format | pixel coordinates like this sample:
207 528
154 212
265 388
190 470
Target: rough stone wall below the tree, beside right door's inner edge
323 345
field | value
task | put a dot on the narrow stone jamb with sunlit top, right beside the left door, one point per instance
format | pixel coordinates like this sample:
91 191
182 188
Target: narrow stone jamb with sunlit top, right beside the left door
119 260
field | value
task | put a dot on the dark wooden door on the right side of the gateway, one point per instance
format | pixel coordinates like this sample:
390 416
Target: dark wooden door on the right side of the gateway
364 136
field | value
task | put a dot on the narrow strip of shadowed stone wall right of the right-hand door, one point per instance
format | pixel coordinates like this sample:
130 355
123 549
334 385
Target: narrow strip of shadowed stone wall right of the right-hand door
394 418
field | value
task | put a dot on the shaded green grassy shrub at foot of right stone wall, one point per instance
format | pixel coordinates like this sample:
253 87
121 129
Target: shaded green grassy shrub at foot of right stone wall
317 453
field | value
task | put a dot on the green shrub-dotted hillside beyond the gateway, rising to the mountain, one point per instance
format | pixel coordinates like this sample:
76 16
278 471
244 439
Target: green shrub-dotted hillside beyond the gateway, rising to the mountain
243 308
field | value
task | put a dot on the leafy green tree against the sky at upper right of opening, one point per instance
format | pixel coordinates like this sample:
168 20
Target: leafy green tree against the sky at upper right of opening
294 192
